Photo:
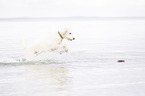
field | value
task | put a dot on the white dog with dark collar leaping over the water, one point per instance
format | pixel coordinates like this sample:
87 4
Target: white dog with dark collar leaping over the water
51 43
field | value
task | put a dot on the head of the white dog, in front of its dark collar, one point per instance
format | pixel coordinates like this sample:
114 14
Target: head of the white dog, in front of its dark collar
67 34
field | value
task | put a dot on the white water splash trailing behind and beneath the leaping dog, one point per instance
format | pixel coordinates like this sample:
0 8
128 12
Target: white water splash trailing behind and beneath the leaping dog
52 58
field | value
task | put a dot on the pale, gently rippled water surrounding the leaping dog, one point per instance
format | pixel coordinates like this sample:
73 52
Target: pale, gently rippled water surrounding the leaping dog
89 69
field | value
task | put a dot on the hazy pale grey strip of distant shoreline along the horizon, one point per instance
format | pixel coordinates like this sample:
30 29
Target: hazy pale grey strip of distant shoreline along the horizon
72 18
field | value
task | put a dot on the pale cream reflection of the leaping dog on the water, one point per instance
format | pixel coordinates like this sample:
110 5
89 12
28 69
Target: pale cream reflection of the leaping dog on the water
47 78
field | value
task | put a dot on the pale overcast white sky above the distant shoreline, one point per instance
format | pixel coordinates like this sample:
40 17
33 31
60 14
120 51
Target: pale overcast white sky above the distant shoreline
69 8
